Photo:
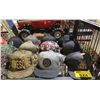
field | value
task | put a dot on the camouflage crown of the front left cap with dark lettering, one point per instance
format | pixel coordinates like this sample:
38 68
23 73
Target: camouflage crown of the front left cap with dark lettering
21 60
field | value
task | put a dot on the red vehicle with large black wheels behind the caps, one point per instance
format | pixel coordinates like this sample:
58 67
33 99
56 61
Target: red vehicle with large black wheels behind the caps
54 27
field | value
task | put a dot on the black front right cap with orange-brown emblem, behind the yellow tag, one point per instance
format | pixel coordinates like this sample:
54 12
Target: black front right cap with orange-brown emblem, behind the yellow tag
75 62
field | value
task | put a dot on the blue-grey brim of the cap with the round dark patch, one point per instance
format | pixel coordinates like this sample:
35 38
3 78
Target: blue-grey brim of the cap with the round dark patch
46 73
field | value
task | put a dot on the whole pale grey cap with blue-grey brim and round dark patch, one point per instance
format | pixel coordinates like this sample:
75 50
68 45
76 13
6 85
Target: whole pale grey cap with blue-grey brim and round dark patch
49 64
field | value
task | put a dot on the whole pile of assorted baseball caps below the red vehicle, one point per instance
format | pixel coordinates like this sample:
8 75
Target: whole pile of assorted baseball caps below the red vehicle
42 57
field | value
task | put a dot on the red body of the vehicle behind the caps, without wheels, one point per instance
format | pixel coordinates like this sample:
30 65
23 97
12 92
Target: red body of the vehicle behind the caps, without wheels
37 24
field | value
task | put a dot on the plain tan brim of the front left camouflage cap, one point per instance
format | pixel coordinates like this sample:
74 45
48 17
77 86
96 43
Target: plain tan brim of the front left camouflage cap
20 74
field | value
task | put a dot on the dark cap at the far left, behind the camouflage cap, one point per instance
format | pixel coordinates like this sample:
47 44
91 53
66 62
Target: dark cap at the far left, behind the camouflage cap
15 41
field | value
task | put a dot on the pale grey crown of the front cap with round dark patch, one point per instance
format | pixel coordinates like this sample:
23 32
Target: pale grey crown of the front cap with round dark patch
52 57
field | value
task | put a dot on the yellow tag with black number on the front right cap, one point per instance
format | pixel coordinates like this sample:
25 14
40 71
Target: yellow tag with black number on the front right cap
83 74
